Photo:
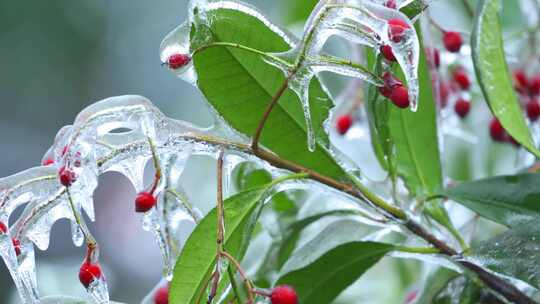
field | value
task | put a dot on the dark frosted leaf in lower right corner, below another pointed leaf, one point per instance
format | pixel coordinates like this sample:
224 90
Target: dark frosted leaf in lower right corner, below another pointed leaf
514 253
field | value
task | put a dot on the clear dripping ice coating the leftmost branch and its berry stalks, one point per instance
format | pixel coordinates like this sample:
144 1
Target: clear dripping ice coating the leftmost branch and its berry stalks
116 134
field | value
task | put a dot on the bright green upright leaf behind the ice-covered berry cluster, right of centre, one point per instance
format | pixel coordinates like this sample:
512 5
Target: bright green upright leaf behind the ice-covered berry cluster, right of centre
407 142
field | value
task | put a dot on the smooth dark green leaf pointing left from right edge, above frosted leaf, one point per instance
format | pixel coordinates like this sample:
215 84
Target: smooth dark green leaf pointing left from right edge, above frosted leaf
504 199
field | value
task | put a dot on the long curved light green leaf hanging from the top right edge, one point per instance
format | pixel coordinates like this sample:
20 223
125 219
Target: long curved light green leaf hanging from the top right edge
493 74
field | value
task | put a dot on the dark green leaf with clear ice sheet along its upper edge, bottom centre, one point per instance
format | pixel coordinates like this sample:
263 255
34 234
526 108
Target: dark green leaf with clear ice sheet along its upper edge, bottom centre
328 264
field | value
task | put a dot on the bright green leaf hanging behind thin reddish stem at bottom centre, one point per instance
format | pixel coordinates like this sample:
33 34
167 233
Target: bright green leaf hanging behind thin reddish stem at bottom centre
198 258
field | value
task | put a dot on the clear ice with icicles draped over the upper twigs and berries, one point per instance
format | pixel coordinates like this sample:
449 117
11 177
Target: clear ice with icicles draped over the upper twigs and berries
358 21
